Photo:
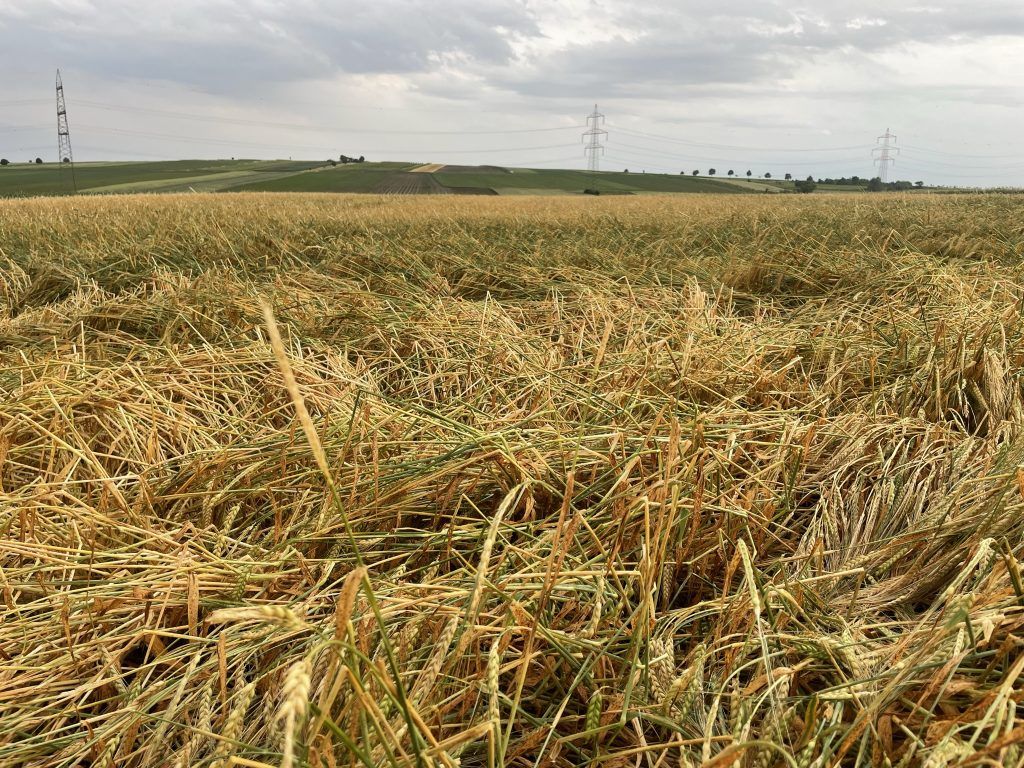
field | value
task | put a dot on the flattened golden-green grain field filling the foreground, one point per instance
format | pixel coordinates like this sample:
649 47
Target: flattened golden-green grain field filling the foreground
318 481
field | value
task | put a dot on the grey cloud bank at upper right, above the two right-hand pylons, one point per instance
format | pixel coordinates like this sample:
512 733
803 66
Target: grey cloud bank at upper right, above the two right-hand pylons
676 47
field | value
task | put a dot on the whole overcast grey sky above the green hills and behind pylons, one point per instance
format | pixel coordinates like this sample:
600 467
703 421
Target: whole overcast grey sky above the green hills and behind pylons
767 86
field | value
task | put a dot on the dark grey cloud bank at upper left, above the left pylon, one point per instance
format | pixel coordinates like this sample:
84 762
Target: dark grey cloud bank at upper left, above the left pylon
224 44
